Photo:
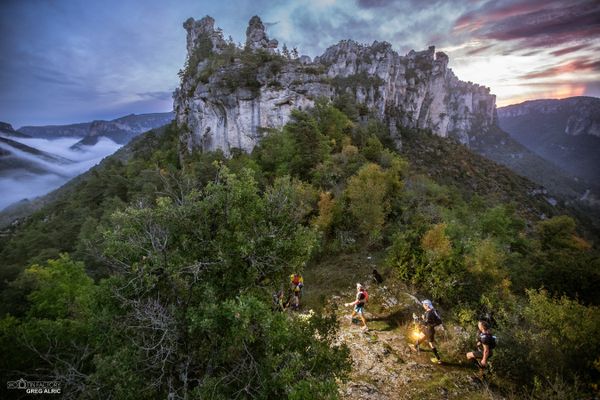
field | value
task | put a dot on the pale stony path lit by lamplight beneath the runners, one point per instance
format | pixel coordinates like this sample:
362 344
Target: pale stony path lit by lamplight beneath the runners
384 366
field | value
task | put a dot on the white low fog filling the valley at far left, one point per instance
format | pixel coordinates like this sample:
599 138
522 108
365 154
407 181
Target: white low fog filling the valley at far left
19 184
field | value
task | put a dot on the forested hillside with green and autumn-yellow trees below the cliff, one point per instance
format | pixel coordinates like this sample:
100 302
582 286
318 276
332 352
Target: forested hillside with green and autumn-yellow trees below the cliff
152 276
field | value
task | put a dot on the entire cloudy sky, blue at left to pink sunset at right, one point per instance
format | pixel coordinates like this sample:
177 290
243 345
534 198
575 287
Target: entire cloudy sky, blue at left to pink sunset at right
67 61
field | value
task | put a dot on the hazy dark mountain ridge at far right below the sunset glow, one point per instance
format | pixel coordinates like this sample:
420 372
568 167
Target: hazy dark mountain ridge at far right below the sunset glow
565 132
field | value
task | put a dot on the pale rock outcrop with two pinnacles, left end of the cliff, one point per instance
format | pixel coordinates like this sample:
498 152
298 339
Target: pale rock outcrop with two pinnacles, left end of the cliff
228 106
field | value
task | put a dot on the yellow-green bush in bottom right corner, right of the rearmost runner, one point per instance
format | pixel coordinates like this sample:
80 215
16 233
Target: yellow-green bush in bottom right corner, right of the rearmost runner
550 343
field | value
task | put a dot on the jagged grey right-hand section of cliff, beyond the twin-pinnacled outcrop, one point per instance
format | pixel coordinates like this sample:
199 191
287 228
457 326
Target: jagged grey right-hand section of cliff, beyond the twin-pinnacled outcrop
417 90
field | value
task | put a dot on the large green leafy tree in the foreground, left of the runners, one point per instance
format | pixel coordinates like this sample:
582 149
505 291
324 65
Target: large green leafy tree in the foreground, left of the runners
193 293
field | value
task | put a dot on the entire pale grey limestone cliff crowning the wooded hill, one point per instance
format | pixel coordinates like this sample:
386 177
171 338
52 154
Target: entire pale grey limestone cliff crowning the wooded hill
228 95
